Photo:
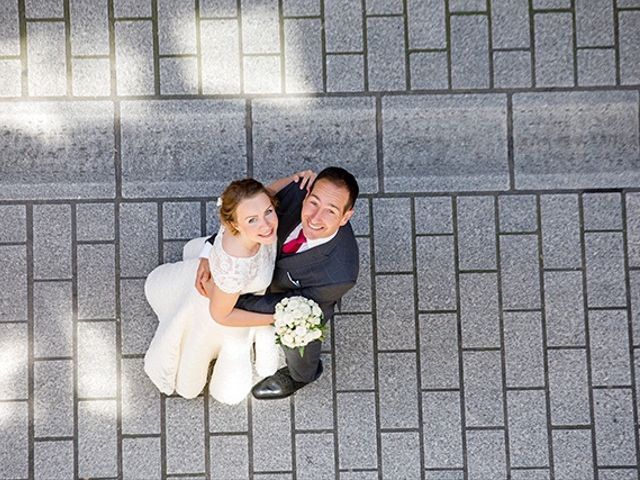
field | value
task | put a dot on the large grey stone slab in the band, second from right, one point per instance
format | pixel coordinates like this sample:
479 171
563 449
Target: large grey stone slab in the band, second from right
445 142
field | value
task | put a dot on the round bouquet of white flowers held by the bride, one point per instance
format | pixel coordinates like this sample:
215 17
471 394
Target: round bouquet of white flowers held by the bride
298 321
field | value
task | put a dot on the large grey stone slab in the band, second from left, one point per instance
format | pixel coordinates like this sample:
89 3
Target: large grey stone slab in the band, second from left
181 148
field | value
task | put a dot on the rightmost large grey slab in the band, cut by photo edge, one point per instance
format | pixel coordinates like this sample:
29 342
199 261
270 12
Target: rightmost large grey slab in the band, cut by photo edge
576 139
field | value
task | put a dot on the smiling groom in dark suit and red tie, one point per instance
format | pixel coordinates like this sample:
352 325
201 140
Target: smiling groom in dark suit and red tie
317 258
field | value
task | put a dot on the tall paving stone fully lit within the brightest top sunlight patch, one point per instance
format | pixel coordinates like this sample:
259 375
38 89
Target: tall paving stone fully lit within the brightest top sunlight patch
221 63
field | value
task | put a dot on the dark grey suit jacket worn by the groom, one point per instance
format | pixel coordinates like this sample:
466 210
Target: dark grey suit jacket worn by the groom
324 273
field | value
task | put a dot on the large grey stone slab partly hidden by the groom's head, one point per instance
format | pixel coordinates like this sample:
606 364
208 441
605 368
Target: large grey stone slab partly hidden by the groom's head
294 134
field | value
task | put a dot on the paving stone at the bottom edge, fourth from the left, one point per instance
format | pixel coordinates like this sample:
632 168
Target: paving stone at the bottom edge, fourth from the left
141 457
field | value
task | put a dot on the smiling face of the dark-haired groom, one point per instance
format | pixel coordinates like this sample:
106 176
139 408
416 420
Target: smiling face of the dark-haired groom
324 210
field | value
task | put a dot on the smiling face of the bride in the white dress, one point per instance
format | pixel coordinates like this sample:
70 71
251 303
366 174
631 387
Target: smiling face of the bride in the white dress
256 219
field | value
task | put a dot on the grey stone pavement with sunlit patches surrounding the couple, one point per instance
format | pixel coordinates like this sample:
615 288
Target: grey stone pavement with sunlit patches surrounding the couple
495 328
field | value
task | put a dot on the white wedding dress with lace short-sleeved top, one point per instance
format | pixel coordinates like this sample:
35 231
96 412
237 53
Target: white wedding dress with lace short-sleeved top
188 339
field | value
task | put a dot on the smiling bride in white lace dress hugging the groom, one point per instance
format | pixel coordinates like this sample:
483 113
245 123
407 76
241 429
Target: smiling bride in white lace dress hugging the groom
194 330
